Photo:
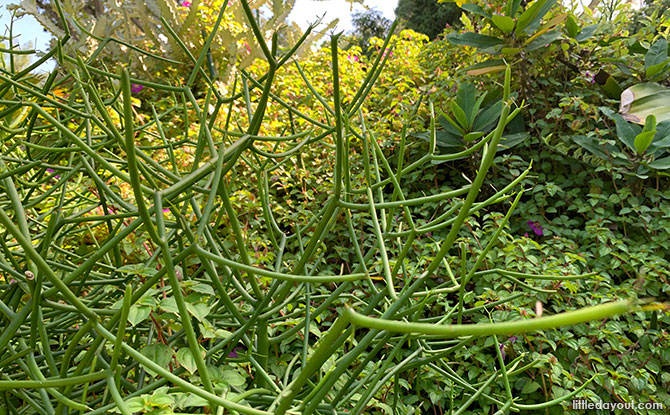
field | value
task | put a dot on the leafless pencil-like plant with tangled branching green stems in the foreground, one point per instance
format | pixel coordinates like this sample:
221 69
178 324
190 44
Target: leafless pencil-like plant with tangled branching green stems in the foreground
66 345
